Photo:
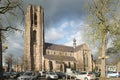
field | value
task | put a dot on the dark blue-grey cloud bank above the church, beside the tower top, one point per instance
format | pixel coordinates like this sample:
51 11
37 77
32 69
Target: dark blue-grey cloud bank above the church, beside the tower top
57 10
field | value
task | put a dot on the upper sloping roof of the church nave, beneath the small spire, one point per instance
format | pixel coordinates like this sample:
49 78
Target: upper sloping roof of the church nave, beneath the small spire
63 48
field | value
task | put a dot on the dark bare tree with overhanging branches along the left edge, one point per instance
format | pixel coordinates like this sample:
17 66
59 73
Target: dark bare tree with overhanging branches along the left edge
6 7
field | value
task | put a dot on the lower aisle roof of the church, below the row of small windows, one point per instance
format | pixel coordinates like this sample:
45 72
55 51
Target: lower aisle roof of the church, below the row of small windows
58 58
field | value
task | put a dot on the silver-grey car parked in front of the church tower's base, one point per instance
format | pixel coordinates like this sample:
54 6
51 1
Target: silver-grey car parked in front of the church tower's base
29 75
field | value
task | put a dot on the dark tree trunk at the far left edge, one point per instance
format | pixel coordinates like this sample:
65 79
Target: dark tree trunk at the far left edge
1 67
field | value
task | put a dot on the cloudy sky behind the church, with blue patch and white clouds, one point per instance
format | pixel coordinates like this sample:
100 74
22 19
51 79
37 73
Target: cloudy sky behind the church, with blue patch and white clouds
64 21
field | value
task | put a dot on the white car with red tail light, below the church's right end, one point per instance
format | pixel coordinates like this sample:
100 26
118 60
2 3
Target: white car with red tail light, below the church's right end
86 76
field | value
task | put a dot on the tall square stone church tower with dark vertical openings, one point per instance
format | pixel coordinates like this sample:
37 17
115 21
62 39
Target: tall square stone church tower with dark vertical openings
34 38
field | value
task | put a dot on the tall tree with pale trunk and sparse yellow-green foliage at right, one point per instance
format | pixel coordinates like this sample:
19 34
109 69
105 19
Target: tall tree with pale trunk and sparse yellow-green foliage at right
103 22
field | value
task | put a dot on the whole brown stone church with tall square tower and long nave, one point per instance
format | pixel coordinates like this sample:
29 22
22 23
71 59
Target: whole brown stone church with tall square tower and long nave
42 56
